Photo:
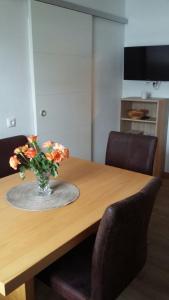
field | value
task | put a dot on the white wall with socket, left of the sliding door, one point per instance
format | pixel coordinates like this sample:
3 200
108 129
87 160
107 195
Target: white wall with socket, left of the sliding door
14 68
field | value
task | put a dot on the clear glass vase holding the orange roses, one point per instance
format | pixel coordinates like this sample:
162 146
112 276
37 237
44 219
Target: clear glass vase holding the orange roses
44 188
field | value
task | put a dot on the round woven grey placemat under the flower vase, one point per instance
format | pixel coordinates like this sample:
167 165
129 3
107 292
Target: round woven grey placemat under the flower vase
25 196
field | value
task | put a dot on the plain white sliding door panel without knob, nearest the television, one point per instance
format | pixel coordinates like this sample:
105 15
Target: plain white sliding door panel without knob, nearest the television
107 82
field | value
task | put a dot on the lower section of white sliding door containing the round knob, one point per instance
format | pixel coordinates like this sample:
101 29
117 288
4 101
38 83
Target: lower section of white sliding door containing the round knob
68 121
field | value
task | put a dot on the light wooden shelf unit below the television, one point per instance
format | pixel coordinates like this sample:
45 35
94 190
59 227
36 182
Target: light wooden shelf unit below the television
155 125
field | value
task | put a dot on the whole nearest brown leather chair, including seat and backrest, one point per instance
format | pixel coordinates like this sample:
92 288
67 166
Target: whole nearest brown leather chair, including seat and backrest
100 268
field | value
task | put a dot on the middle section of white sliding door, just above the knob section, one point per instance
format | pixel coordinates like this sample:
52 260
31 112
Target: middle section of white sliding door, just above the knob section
56 73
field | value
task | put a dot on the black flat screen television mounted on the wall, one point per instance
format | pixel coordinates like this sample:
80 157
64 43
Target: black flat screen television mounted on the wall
148 63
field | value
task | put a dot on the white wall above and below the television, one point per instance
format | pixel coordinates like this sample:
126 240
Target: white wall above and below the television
148 24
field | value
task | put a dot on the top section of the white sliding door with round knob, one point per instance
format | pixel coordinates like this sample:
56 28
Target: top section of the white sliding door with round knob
59 30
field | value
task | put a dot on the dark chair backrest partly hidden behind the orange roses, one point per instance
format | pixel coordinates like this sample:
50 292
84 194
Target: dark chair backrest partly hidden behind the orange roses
7 146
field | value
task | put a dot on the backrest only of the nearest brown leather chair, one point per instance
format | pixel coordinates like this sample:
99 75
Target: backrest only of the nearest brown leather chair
121 243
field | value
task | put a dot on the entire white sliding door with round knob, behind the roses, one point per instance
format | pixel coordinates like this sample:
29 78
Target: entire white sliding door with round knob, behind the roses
62 55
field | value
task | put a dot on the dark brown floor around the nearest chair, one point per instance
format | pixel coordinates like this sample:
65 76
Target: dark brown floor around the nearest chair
153 280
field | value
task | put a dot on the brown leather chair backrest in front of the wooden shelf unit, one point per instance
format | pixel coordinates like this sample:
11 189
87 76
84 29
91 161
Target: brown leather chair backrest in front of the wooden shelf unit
131 151
